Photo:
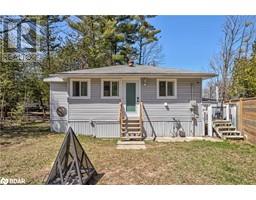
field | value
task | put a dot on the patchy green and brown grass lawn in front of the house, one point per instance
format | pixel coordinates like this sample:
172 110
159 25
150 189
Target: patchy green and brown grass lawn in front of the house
29 152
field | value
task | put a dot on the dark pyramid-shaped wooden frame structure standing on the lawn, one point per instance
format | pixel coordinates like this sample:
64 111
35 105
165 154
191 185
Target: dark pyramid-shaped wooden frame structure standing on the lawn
72 165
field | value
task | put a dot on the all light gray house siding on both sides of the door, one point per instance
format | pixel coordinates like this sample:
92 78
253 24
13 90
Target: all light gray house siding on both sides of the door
99 117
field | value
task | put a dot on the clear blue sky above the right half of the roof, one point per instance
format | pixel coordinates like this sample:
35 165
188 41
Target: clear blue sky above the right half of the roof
189 42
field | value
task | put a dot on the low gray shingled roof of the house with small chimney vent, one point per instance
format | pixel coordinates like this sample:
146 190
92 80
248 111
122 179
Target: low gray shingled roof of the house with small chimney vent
136 70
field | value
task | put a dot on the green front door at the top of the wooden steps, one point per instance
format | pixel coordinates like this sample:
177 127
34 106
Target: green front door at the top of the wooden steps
130 97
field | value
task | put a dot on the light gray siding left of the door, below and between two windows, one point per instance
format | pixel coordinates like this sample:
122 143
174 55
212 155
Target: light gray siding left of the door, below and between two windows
95 116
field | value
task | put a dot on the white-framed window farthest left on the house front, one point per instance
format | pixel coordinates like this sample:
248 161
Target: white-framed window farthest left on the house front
80 88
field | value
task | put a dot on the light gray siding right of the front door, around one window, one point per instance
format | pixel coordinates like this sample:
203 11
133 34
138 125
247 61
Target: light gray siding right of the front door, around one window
158 119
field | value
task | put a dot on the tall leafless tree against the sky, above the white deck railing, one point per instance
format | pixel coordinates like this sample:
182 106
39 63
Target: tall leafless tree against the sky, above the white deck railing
238 34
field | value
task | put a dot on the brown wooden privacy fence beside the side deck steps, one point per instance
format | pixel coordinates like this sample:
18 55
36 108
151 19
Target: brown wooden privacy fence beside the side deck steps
246 116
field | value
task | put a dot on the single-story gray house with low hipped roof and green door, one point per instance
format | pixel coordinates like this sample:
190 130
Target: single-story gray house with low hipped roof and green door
130 101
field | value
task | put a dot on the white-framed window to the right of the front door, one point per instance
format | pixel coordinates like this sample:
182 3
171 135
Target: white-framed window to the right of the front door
166 88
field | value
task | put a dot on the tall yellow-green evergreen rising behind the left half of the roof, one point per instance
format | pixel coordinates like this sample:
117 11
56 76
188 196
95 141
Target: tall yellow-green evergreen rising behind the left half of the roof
93 46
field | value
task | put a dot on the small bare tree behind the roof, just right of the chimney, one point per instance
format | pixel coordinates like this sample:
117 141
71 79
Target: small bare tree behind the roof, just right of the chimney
152 54
